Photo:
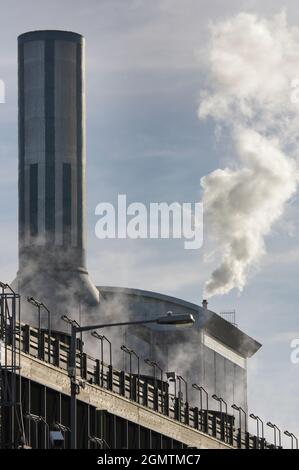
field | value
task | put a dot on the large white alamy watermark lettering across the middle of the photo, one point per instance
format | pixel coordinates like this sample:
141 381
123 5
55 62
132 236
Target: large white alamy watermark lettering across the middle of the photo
157 220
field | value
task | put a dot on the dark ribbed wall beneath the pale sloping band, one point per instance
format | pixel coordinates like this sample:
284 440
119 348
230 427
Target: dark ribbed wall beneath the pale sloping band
46 409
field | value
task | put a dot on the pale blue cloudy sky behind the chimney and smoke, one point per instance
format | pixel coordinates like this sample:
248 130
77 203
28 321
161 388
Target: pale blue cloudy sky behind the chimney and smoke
144 139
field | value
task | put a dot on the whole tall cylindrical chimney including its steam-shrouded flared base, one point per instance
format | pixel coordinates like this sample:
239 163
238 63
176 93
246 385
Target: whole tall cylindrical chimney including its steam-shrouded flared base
52 244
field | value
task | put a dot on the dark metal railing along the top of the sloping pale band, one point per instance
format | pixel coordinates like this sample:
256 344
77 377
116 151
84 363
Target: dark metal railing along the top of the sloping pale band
136 388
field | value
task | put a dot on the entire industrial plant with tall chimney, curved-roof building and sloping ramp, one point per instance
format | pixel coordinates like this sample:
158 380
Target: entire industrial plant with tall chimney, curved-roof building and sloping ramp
149 385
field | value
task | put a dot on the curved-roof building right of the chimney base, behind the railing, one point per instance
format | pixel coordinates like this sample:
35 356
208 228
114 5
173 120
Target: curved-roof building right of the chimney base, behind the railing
214 352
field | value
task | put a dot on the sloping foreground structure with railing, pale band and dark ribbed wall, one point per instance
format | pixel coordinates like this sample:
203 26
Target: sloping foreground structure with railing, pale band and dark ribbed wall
115 409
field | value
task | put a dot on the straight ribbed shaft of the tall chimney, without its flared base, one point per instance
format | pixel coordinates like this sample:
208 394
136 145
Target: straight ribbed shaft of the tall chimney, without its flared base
52 133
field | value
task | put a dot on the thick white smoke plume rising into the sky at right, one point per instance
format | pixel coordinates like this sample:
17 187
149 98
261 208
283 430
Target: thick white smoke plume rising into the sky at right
252 64
